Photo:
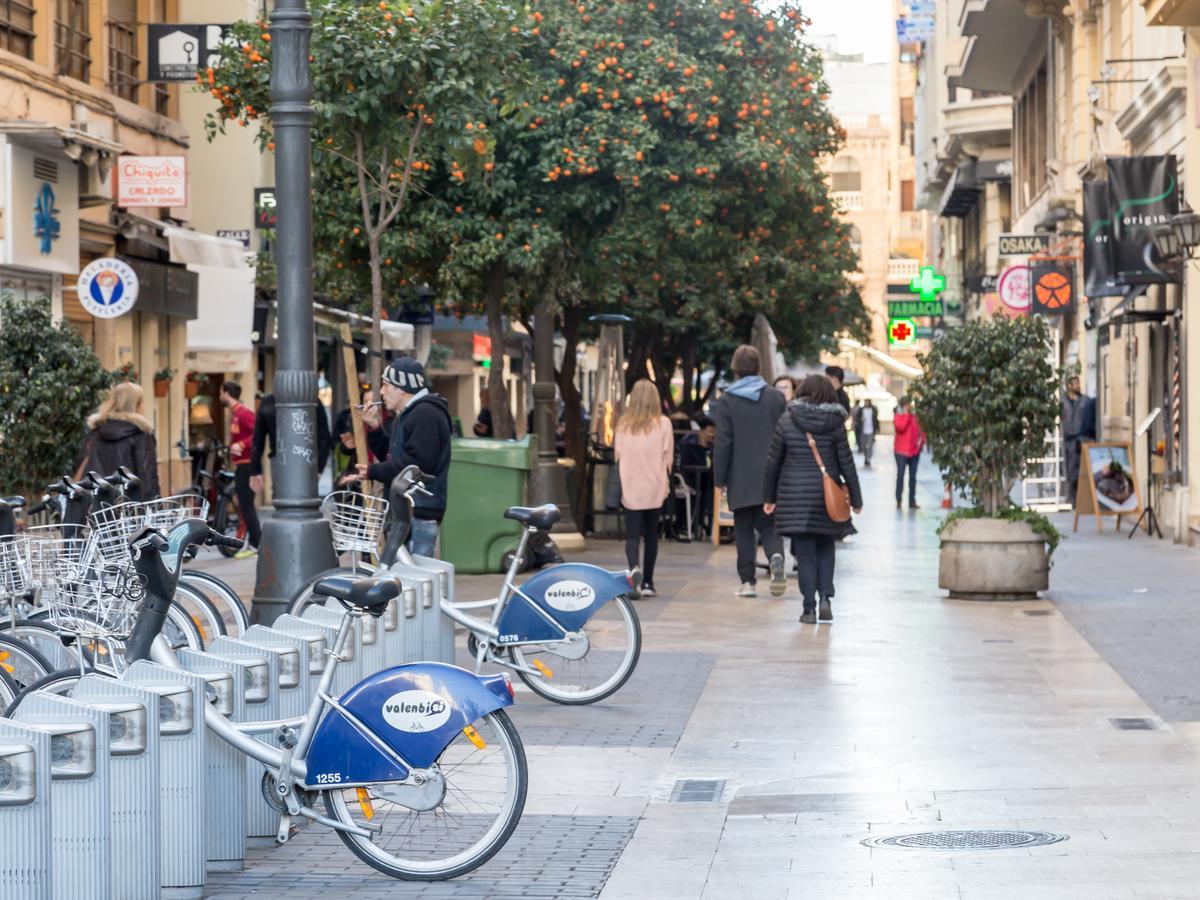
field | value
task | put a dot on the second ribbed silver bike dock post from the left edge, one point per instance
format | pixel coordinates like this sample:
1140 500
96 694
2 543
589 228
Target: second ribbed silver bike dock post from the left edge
81 801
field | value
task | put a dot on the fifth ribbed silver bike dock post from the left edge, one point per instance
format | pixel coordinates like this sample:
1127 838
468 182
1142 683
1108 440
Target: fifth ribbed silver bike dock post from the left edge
225 808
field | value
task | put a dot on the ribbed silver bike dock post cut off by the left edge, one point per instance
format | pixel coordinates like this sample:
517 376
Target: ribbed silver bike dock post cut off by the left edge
27 833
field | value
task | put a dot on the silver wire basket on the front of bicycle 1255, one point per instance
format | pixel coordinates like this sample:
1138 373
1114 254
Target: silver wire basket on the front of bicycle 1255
95 598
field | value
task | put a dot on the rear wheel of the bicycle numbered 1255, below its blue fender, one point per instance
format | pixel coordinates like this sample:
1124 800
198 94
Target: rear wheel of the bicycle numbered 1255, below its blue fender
487 782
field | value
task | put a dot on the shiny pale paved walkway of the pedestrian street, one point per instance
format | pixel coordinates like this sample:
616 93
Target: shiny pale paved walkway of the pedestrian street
911 713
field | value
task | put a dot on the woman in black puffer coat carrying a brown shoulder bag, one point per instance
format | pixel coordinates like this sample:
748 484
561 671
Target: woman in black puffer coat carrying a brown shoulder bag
795 491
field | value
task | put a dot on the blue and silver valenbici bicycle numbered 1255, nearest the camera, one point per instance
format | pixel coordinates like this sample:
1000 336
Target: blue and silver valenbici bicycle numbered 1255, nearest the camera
418 767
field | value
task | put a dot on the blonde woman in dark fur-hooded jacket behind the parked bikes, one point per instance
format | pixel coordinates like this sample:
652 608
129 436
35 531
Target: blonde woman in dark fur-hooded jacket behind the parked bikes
119 435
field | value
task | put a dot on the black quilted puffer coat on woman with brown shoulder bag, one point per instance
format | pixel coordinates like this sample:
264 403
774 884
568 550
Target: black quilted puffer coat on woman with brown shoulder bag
794 481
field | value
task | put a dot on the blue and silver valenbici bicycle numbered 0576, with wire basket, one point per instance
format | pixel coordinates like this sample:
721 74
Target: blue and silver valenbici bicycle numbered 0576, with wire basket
571 632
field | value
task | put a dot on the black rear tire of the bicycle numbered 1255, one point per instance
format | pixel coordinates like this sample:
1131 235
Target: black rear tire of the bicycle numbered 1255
496 838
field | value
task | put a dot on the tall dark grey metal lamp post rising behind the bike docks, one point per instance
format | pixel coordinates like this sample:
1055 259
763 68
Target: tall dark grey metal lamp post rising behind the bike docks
297 543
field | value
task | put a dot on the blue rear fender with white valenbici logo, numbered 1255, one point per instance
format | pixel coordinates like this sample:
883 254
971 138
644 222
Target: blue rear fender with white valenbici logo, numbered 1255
416 710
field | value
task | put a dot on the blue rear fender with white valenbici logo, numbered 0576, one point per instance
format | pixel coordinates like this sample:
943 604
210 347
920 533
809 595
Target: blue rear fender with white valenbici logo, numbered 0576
569 595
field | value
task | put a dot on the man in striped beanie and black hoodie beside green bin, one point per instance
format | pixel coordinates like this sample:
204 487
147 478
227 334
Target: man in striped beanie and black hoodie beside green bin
421 436
